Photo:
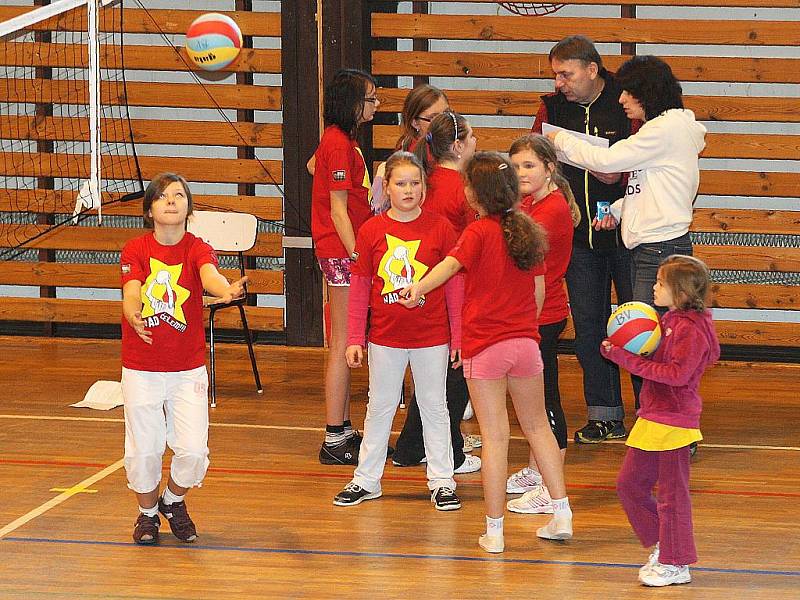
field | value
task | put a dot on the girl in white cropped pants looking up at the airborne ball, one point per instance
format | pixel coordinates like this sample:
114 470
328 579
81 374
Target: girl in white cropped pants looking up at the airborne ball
164 378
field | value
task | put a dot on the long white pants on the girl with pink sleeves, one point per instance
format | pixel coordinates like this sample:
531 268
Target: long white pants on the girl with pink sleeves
387 367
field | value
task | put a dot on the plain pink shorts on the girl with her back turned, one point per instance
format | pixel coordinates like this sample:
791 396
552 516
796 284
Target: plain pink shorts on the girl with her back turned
515 357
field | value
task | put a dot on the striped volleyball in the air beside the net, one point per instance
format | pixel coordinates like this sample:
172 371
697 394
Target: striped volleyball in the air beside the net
213 41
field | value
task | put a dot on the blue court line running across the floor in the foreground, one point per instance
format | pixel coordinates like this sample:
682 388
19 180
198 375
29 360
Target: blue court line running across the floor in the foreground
444 557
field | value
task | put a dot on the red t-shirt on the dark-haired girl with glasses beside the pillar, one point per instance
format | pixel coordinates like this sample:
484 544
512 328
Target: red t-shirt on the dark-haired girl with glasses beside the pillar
339 166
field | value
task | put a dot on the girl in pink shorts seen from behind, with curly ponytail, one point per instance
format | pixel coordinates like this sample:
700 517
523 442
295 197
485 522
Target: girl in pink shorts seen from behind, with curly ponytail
502 255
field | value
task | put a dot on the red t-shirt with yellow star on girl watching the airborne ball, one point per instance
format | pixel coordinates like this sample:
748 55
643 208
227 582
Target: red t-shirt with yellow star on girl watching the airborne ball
172 303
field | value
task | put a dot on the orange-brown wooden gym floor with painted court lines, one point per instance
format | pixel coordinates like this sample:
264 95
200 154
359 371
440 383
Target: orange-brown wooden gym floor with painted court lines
268 528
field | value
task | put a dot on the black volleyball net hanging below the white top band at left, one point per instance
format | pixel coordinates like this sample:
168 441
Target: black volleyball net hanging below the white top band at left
45 152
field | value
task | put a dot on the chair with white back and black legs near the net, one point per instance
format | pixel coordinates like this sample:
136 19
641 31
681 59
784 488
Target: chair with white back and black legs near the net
227 232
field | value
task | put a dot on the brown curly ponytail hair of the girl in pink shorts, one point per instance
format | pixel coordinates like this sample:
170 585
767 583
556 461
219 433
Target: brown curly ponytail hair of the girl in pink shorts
494 185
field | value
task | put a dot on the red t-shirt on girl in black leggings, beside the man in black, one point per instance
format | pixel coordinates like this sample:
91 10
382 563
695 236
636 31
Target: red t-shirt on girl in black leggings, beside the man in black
552 213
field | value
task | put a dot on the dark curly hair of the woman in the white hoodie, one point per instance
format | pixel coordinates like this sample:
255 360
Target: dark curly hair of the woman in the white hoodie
650 80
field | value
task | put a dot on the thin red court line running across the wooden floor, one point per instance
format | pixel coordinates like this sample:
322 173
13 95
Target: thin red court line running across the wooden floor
347 475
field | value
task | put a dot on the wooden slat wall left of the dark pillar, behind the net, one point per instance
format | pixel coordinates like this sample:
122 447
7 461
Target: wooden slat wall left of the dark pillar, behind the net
244 171
